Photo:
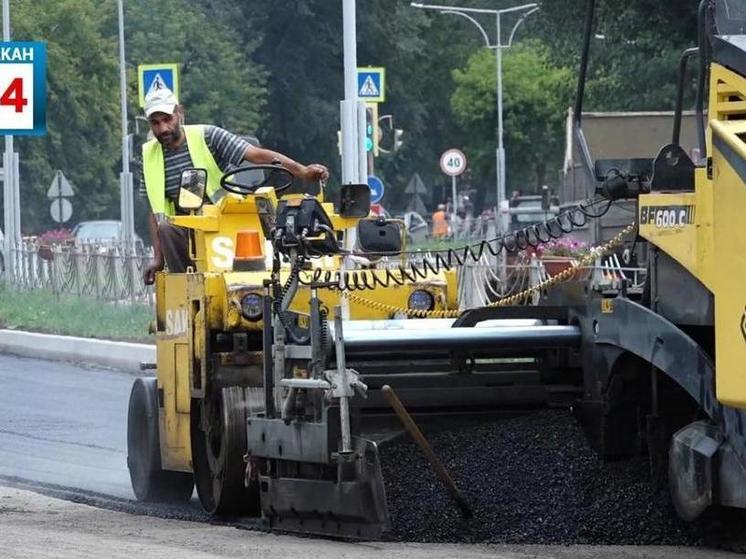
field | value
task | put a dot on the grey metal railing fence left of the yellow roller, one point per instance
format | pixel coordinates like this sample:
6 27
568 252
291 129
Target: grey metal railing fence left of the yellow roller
108 272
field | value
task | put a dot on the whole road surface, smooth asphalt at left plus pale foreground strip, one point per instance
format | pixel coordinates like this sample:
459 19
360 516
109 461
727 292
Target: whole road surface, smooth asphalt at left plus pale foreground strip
65 426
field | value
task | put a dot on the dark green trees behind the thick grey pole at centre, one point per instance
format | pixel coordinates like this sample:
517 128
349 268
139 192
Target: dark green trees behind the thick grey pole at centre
302 49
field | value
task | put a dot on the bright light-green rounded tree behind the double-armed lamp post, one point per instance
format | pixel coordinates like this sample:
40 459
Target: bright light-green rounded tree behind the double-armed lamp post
535 99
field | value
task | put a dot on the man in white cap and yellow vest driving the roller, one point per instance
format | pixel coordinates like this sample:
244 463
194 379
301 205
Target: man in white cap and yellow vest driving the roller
176 147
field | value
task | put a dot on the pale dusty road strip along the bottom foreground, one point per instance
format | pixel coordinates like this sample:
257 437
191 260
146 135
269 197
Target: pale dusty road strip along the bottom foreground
34 526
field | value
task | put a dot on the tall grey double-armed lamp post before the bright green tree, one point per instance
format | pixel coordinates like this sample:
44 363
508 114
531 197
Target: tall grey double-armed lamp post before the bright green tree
498 45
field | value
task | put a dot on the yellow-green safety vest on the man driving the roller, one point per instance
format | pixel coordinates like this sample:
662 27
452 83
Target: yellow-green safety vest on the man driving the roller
154 170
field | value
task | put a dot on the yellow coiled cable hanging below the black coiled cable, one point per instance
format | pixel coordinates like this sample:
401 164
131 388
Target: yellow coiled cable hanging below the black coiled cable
587 259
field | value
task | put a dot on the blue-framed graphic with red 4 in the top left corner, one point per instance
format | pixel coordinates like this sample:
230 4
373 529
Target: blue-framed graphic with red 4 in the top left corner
23 77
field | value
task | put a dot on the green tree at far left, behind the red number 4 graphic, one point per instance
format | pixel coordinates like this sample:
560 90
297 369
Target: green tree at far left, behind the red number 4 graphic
82 109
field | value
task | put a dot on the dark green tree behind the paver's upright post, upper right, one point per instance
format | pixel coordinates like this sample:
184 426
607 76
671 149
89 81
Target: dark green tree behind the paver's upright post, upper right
634 52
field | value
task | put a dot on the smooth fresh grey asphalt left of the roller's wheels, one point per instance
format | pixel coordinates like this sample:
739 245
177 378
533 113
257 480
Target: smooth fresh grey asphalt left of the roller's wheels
64 425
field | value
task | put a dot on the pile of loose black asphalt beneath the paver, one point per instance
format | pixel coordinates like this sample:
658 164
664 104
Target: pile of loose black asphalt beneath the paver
529 479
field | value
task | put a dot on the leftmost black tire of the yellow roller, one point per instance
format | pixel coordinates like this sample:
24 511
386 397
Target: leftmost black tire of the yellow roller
150 482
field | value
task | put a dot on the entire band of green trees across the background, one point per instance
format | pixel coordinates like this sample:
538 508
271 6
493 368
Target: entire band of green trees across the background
275 69
